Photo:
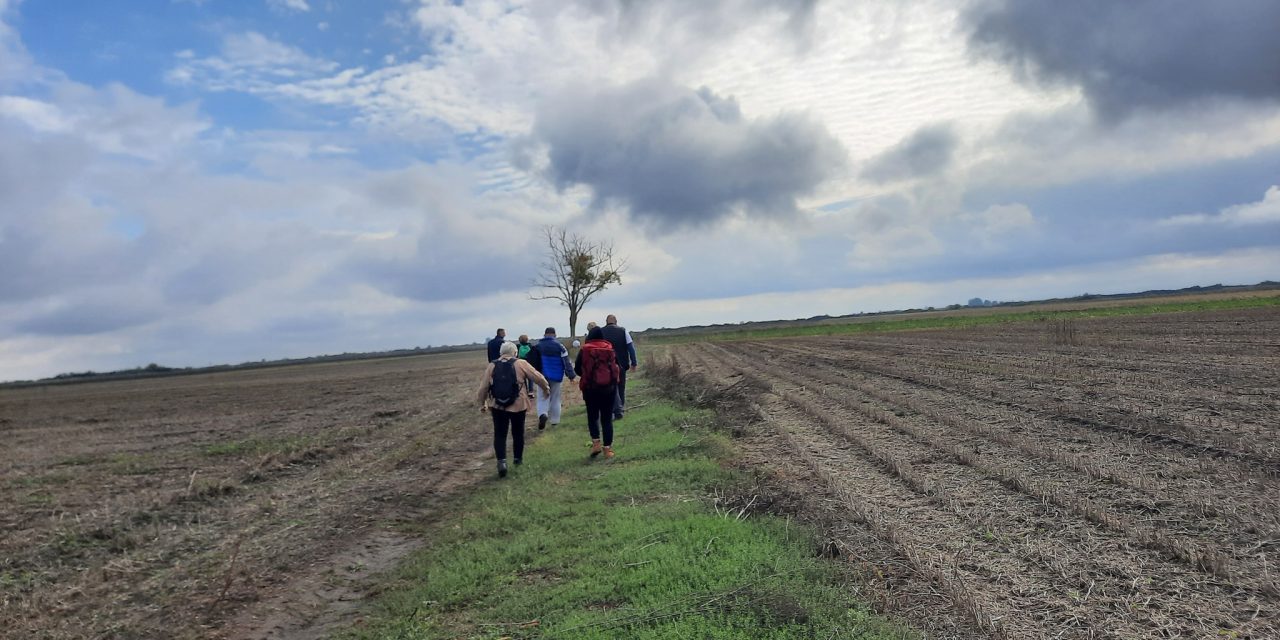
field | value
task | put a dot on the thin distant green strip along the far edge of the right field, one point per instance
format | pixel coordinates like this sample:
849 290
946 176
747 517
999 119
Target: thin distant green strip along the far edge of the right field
964 321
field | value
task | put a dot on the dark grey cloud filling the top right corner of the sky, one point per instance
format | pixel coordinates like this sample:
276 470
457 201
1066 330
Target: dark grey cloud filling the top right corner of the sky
1139 53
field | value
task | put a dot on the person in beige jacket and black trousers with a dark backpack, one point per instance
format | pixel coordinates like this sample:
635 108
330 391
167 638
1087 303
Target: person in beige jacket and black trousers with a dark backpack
502 395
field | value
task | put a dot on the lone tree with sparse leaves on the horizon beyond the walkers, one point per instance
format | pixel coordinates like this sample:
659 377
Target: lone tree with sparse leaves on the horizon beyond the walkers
575 271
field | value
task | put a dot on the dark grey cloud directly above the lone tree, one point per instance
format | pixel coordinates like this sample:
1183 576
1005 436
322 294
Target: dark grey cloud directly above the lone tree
680 158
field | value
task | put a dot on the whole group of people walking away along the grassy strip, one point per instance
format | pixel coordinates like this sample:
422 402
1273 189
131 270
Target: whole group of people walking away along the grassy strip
518 368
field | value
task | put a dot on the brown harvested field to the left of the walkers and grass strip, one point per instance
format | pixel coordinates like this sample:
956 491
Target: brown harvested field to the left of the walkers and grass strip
235 505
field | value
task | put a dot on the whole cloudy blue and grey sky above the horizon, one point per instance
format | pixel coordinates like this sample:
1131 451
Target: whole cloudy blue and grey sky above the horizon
195 182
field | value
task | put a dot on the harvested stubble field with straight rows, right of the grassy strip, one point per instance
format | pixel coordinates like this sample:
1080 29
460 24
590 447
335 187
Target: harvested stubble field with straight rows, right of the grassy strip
1109 478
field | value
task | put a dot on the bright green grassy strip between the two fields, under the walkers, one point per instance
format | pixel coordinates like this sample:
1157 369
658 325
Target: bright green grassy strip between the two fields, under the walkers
573 548
